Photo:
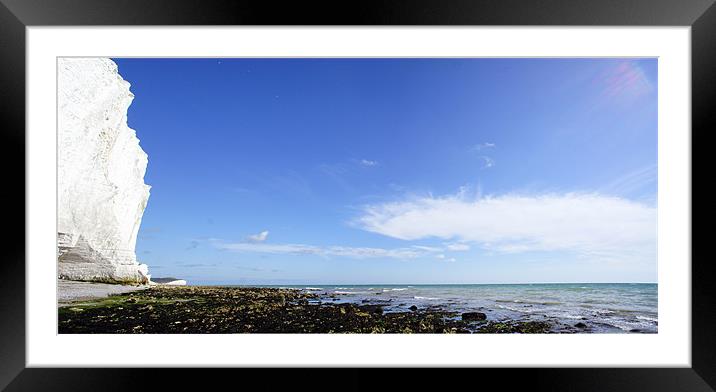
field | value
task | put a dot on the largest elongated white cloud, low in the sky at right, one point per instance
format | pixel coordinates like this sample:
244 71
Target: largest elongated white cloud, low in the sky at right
589 224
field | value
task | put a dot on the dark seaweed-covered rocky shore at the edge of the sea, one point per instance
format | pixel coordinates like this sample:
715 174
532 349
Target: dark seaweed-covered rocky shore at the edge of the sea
204 309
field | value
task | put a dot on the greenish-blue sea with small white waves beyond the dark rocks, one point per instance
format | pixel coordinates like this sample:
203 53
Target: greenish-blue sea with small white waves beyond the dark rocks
602 307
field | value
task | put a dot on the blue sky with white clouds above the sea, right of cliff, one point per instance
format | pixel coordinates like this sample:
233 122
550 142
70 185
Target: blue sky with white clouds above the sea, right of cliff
319 171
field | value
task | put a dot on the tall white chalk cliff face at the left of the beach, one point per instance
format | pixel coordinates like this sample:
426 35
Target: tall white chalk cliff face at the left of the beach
101 189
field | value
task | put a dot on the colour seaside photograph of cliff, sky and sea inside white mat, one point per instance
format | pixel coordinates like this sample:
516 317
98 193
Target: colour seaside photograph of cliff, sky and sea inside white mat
368 195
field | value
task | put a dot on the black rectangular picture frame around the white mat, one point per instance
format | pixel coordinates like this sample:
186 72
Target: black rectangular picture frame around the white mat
16 15
